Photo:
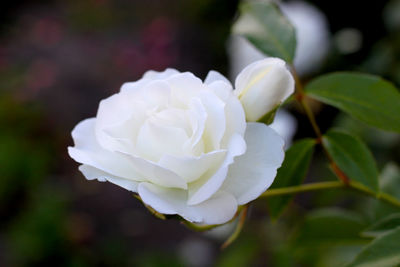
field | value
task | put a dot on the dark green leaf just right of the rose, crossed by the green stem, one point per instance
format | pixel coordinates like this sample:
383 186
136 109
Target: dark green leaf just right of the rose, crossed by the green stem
292 172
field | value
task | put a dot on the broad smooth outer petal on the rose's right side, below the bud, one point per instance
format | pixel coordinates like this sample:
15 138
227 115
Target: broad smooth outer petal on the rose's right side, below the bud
252 173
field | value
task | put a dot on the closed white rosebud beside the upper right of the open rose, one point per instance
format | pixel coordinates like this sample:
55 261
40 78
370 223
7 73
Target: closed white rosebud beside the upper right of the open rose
262 86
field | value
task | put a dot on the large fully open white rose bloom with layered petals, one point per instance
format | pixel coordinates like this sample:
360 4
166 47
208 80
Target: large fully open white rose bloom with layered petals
182 144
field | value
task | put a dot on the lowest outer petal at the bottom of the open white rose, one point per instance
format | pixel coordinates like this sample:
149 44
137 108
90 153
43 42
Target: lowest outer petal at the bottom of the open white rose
218 209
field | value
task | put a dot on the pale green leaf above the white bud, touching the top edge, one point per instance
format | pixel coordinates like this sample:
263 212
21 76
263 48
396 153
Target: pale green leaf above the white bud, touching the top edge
267 29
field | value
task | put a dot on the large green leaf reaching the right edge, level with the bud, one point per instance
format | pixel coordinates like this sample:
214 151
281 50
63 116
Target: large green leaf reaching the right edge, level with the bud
366 97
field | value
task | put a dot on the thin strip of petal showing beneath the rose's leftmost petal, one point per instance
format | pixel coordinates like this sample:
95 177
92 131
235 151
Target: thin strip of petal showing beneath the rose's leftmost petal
92 173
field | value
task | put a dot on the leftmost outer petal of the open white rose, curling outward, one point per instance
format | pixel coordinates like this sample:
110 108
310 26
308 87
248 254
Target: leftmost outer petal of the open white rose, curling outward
88 151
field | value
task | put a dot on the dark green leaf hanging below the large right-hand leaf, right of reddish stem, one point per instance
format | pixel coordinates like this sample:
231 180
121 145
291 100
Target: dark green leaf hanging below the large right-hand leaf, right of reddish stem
353 157
